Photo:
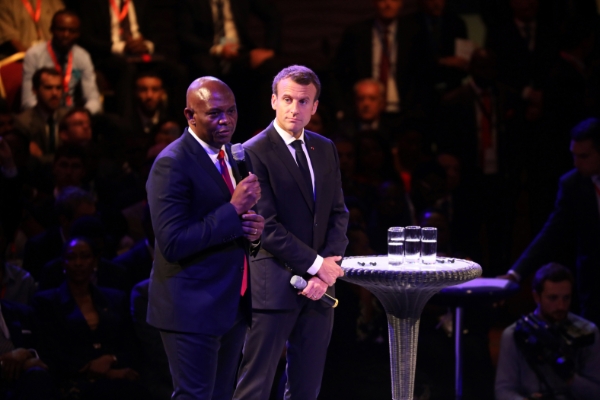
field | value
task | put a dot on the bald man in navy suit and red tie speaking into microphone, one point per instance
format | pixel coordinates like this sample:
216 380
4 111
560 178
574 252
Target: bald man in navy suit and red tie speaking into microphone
198 294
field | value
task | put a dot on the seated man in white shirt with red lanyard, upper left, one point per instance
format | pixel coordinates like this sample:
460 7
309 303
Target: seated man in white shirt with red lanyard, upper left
62 54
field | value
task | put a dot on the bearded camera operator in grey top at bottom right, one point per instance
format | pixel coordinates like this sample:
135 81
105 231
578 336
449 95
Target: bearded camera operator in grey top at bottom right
550 353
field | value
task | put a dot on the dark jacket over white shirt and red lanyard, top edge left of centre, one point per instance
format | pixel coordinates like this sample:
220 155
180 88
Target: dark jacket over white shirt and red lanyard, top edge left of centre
95 25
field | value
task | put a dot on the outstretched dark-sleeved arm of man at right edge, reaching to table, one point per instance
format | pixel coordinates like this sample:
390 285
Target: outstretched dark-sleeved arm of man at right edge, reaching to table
558 228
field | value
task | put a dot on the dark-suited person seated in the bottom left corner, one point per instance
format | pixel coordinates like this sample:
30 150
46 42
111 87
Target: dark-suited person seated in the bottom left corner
24 375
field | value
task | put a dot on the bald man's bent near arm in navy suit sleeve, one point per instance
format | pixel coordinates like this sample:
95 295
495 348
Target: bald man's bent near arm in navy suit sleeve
177 236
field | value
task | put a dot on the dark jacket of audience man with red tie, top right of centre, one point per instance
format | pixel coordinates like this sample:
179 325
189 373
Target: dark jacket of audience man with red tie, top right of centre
354 59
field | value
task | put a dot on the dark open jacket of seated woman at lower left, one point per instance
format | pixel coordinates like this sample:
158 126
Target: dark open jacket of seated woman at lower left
66 341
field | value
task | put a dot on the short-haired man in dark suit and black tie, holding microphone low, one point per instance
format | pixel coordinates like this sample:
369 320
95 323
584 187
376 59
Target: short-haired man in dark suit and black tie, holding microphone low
305 234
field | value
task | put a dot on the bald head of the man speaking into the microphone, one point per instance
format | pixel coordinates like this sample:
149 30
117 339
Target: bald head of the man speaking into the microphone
211 111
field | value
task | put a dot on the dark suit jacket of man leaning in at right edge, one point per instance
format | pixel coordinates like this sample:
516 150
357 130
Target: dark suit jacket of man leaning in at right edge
574 221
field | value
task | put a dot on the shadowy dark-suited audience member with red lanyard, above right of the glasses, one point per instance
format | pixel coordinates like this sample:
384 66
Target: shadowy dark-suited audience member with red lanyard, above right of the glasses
482 120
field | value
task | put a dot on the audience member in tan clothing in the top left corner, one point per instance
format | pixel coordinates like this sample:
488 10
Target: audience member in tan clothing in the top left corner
24 23
